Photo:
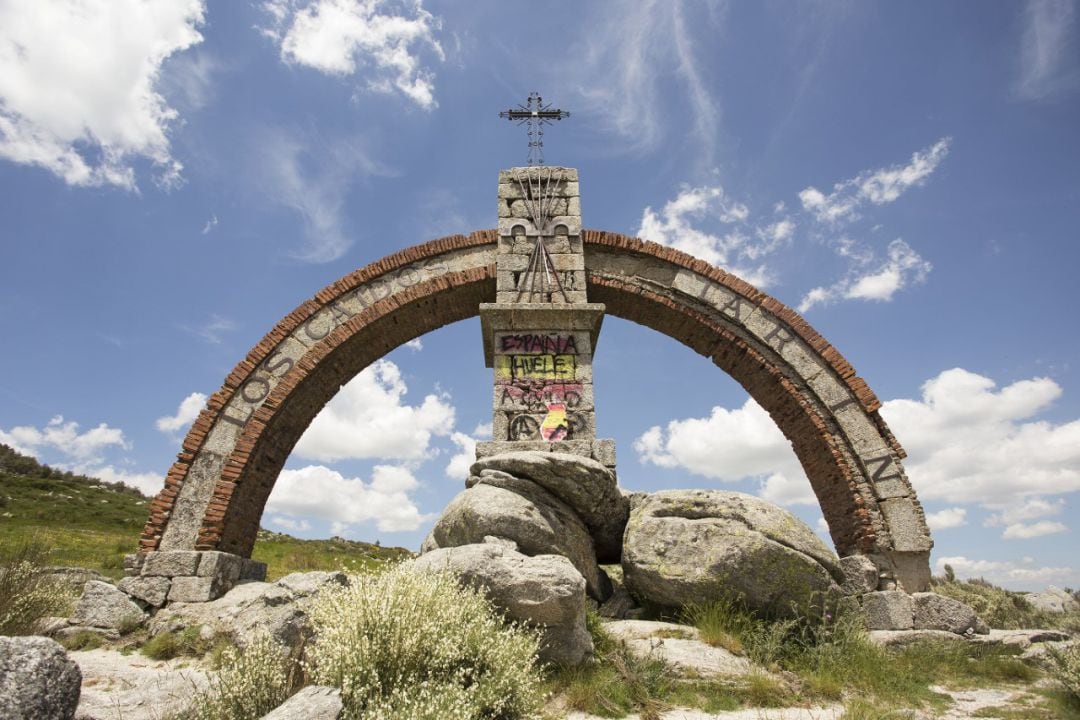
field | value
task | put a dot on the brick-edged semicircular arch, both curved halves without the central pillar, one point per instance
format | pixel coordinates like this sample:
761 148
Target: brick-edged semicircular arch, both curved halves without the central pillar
215 492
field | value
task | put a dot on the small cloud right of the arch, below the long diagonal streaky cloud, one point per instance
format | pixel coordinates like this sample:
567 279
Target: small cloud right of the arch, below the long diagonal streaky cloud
903 268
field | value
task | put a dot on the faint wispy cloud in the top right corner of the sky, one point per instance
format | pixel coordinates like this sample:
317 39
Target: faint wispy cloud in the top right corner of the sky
1047 65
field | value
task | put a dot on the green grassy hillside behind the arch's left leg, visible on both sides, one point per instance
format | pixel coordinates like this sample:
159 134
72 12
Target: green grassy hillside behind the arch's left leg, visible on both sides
91 524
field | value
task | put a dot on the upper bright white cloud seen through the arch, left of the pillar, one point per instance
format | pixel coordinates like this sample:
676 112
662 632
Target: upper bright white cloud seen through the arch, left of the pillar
367 419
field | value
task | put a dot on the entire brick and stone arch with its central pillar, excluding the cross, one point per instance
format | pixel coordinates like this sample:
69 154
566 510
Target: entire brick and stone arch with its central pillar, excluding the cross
542 286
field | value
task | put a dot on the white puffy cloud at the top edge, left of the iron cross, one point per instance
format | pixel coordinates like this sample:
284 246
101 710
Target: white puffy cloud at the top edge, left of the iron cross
346 37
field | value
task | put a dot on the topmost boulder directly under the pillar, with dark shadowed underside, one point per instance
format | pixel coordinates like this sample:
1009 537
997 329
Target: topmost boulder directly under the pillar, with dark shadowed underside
585 485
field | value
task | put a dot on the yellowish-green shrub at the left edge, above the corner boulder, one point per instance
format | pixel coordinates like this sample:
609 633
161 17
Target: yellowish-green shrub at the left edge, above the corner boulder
26 595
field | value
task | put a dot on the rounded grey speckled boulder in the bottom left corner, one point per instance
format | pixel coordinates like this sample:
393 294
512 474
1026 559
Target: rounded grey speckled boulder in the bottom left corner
38 681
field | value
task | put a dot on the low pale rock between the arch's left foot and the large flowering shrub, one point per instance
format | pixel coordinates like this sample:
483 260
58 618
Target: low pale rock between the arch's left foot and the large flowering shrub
252 608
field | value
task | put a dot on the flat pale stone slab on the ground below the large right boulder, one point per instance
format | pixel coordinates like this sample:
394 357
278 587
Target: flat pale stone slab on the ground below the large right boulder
678 645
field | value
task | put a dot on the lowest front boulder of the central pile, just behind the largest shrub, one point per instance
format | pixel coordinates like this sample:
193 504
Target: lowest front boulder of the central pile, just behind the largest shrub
546 591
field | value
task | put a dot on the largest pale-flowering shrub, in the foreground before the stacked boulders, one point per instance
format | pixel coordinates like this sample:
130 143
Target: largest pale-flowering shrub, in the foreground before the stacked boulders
403 645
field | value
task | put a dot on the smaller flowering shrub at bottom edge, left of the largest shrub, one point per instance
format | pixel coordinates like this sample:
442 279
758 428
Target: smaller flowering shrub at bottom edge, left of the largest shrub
252 683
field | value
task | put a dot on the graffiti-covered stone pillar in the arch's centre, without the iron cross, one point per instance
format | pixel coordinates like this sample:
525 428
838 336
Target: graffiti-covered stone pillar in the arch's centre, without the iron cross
541 335
